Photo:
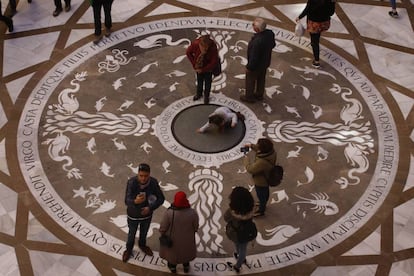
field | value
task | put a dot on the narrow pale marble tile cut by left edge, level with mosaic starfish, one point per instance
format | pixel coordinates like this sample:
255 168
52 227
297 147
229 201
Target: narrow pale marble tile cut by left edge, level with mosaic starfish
8 206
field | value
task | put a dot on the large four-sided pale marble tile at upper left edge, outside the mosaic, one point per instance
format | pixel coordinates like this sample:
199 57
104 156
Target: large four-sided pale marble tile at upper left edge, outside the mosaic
20 53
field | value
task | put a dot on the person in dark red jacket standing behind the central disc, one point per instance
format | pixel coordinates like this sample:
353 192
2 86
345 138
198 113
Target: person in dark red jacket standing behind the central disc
203 55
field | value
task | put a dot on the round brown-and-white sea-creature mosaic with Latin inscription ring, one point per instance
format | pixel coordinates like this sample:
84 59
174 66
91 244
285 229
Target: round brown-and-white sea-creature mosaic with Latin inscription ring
94 114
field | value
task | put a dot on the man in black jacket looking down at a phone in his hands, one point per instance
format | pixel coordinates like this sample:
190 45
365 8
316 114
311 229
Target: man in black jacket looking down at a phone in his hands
143 195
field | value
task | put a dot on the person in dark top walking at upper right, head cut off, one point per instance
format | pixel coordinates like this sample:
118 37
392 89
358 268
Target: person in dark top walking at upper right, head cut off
318 19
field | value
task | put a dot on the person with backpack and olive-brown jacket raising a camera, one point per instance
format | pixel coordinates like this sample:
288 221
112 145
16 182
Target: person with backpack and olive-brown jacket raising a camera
258 163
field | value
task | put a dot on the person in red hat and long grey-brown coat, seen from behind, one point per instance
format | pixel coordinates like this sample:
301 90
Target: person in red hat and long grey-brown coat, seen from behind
180 222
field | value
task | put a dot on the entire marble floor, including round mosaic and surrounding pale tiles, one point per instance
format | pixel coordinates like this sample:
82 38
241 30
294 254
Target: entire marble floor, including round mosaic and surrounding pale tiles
344 134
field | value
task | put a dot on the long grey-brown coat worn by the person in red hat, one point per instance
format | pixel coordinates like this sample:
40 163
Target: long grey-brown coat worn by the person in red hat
183 235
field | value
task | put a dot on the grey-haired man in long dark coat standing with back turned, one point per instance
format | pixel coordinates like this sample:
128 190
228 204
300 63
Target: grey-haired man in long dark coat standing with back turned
259 55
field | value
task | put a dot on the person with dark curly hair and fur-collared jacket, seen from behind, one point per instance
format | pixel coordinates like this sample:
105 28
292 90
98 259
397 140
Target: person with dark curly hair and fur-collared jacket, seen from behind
240 228
